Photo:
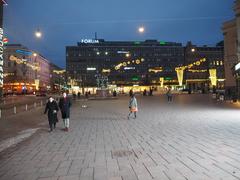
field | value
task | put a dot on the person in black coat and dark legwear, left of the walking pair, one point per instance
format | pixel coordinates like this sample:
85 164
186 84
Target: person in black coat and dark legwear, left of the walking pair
52 109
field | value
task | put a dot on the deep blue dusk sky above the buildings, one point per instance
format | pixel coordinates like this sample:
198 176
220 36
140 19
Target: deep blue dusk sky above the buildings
66 22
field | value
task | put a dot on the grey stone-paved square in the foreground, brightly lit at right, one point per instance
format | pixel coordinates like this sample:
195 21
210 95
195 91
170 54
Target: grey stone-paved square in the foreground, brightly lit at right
183 140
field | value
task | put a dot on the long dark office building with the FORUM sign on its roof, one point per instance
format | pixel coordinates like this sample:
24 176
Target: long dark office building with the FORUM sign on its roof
124 63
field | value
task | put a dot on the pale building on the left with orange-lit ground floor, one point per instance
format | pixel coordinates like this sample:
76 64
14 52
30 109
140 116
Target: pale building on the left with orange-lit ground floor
24 70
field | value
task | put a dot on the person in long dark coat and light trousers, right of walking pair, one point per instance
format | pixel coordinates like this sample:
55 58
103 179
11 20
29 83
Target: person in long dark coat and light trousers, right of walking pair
64 105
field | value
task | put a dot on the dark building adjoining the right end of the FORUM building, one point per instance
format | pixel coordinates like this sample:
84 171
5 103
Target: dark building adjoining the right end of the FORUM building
198 76
